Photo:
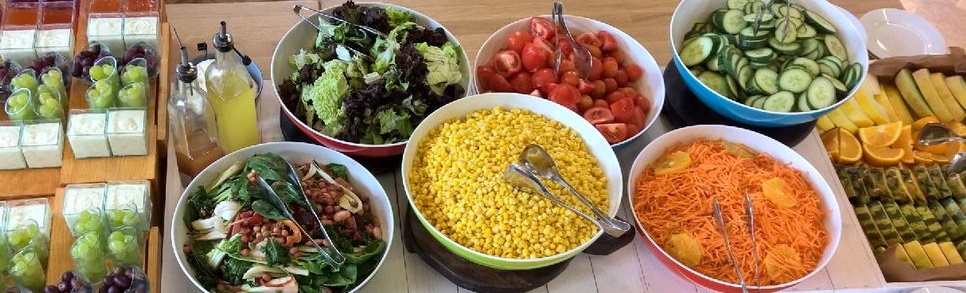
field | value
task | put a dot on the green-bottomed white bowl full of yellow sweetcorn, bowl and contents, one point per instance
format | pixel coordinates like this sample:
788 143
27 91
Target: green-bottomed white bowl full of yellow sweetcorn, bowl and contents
453 167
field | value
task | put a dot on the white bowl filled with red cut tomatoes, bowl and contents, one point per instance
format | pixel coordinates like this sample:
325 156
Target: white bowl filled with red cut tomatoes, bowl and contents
622 96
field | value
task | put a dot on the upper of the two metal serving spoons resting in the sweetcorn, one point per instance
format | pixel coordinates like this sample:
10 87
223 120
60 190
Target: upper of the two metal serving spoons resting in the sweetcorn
539 163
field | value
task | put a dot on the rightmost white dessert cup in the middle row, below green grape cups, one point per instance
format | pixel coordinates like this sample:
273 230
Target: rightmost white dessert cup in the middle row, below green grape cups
127 131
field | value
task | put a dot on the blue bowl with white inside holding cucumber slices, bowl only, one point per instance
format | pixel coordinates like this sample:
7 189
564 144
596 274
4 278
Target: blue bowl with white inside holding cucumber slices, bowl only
690 12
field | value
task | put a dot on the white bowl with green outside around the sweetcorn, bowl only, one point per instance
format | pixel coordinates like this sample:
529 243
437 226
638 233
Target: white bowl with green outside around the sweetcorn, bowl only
595 142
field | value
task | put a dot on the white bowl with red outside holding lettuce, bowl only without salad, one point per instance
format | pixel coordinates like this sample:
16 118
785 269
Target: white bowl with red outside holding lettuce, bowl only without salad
303 35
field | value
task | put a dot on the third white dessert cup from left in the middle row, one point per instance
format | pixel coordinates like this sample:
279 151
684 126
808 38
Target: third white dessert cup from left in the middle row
87 133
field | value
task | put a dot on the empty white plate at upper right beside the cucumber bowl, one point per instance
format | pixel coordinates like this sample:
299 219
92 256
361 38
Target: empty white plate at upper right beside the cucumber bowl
894 32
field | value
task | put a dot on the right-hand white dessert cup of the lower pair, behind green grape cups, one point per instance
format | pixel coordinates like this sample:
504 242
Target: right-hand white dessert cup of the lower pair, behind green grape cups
128 203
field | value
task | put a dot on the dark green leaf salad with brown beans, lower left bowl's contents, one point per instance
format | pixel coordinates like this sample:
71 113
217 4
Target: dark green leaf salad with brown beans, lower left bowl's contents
240 242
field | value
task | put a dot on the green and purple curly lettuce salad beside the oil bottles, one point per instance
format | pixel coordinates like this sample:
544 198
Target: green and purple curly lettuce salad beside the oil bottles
358 87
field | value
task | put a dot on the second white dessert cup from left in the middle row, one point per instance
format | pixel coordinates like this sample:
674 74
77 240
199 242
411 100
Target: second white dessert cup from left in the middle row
43 144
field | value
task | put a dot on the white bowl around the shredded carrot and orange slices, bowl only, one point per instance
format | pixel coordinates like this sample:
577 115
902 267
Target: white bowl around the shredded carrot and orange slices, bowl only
755 141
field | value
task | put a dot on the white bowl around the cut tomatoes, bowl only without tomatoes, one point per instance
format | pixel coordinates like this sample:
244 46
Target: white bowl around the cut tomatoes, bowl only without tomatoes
650 85
